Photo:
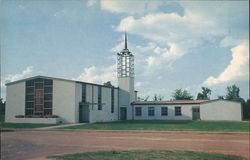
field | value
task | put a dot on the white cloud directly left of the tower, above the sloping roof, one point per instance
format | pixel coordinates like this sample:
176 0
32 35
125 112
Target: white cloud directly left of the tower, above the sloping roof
98 75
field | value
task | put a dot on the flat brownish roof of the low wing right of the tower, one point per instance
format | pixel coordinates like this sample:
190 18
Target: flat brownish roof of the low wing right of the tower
169 102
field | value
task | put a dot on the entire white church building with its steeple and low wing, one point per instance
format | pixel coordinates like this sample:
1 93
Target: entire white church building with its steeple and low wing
43 99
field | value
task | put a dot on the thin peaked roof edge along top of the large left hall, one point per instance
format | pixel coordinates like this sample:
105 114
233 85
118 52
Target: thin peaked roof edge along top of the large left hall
60 79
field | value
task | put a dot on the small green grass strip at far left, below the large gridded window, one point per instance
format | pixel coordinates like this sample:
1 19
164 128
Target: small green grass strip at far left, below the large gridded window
24 125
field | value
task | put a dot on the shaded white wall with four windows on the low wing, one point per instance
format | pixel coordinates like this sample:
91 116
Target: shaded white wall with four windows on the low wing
186 111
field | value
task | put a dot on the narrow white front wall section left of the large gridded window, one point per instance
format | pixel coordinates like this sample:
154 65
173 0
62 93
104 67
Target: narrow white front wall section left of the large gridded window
15 101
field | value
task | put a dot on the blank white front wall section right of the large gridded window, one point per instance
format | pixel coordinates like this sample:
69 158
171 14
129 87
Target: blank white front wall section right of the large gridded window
64 102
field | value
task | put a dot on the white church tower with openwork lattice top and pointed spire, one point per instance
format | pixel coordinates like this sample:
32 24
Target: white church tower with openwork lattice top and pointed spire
125 74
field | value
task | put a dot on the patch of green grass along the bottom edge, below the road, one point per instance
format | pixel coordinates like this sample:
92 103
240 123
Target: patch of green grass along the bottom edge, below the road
146 155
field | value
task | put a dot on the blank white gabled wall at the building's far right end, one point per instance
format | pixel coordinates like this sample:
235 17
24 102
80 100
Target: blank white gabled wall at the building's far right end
221 110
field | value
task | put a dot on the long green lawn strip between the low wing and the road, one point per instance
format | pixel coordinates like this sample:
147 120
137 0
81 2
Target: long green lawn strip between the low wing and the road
167 126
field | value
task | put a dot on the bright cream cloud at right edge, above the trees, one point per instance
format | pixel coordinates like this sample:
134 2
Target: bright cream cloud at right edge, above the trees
237 70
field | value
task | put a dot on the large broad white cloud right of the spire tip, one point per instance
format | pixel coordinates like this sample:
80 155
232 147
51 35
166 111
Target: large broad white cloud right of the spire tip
177 35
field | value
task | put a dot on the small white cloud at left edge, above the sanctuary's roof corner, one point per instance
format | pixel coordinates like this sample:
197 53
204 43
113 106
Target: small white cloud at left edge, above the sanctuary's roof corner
15 77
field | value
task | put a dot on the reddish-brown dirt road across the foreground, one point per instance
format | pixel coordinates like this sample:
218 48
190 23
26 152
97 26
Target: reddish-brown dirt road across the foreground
38 144
